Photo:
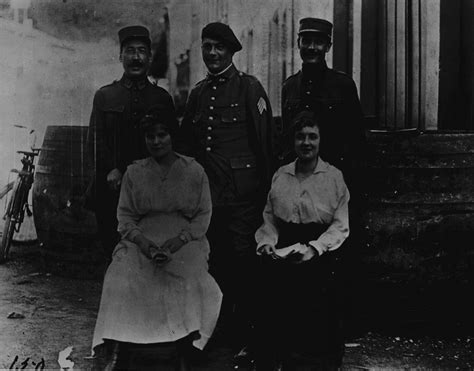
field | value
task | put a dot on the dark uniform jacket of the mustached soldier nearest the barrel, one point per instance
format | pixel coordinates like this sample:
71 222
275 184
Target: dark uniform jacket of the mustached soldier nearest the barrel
114 137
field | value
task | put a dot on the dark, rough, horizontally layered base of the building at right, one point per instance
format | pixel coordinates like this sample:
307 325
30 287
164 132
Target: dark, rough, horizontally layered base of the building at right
420 225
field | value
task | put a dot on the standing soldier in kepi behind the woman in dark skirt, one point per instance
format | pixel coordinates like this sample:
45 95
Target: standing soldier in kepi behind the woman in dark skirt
332 96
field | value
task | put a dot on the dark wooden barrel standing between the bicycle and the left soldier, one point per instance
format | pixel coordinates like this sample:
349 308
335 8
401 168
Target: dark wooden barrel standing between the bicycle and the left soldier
66 230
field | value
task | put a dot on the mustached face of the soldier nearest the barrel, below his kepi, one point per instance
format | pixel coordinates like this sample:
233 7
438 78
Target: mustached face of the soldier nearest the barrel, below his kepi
135 57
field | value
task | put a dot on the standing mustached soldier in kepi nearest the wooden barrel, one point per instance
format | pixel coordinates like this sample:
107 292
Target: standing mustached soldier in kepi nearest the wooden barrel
114 140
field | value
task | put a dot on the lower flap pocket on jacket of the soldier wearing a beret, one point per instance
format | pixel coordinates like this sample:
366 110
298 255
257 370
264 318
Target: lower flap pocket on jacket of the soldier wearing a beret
245 175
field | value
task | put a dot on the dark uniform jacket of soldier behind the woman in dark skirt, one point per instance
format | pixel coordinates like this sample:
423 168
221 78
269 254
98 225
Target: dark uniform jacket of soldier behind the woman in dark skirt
332 95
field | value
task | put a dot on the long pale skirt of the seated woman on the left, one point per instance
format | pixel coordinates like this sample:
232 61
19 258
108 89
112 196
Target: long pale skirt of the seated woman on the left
146 303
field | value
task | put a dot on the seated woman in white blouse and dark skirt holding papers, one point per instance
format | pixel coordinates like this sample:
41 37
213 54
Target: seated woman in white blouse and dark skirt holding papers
305 221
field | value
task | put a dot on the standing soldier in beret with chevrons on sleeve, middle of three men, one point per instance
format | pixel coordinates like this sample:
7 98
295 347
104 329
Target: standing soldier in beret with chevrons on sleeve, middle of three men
227 126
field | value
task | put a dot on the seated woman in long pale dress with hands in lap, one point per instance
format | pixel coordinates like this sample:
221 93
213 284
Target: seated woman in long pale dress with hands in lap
157 288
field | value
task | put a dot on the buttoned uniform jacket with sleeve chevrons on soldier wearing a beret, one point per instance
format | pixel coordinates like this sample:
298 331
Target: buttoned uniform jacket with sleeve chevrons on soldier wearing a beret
227 127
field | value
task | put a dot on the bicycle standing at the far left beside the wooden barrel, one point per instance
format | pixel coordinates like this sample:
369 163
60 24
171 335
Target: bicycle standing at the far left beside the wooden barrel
18 203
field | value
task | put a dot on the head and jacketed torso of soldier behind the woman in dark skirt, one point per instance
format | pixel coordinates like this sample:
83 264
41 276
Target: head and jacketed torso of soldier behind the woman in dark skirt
331 94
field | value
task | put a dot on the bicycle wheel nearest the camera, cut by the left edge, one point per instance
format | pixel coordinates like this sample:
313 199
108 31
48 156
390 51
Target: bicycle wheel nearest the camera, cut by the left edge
13 214
